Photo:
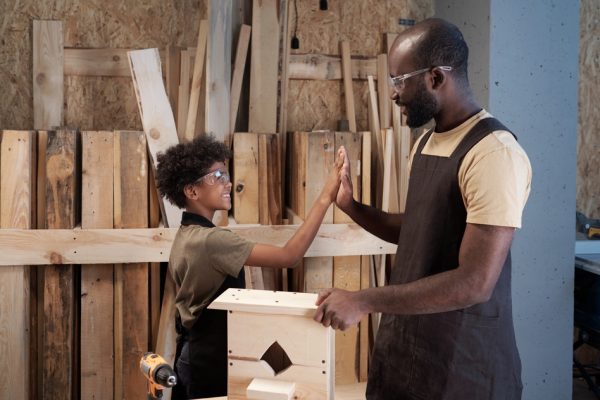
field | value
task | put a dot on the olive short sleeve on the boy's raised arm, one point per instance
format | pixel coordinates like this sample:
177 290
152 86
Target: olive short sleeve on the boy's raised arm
228 251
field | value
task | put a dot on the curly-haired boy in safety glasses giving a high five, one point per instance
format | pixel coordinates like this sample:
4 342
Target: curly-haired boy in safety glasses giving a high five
206 260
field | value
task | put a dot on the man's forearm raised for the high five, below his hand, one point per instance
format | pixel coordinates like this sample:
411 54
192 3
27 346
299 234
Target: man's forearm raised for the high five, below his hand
381 224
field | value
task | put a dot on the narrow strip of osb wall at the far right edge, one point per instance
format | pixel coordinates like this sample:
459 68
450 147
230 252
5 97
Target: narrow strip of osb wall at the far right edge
588 155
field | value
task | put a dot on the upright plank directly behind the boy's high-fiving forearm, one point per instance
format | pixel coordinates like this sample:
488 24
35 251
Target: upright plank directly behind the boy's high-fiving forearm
320 153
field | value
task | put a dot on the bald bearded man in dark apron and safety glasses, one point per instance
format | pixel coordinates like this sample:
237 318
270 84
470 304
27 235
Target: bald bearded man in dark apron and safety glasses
446 331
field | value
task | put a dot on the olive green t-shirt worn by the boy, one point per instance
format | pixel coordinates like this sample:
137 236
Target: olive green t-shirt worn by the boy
200 260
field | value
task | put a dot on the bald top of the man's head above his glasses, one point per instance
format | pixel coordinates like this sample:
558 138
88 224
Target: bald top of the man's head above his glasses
433 42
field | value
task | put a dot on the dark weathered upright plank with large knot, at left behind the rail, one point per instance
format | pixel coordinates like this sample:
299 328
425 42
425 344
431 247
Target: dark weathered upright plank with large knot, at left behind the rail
59 303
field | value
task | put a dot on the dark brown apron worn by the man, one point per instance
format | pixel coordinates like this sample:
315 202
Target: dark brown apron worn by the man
465 354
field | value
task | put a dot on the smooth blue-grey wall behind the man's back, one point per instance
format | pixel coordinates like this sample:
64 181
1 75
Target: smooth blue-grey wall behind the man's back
524 69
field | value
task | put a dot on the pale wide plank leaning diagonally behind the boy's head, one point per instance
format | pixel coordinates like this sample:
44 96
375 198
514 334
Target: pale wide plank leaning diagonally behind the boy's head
157 117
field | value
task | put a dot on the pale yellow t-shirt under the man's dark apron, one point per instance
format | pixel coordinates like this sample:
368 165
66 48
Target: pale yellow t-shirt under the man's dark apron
494 177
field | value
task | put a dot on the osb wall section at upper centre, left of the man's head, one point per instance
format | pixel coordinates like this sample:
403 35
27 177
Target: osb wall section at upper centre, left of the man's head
314 105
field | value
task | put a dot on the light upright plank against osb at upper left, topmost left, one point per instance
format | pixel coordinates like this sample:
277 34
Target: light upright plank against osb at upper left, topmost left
48 75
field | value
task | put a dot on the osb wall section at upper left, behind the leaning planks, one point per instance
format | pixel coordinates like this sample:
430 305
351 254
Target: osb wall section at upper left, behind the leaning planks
90 102
